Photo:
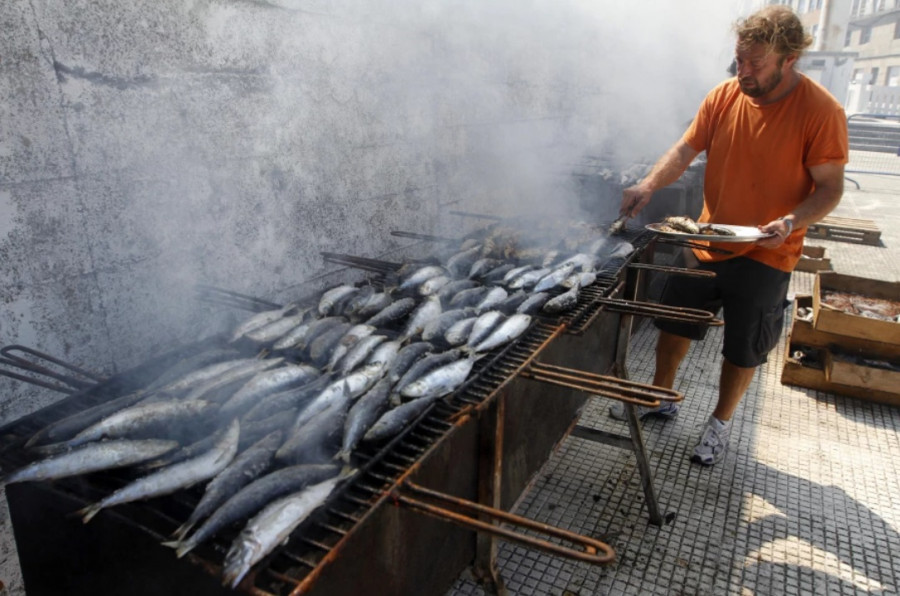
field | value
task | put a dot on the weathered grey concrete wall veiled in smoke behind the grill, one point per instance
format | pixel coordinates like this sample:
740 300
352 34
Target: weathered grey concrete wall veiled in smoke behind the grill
150 146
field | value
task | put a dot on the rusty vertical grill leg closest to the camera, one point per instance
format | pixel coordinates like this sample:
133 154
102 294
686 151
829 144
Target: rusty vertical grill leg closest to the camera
490 475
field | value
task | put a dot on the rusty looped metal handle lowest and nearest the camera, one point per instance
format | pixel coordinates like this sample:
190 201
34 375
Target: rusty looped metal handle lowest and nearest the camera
592 550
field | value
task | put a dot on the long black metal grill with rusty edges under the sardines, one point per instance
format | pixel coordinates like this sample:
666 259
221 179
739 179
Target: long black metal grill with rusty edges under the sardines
483 446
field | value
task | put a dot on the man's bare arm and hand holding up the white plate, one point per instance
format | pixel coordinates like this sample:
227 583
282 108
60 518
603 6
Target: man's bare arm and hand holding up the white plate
829 179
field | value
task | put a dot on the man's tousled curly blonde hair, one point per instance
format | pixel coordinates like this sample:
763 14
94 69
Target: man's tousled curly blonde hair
776 27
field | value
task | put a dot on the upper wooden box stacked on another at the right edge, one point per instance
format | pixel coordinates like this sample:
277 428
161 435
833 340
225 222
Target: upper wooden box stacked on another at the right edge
830 320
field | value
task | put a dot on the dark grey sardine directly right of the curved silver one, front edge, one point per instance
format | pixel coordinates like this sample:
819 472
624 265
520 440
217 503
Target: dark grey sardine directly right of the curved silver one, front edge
243 470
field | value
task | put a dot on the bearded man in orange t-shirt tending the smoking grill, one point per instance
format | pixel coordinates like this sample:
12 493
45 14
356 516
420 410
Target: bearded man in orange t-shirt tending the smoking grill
776 145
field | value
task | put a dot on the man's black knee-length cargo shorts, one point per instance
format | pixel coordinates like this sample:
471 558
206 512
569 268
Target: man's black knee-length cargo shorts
752 297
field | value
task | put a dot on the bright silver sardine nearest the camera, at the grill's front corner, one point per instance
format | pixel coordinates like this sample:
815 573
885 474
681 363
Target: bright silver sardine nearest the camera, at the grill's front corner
272 526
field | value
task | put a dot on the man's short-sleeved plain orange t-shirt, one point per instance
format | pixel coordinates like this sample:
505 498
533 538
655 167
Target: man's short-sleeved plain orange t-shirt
758 160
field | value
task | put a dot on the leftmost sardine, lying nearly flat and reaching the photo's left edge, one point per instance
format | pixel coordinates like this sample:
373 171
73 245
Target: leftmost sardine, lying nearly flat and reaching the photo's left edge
92 458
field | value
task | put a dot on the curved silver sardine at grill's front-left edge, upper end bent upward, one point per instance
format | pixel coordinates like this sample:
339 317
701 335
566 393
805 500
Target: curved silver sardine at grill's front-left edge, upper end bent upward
175 477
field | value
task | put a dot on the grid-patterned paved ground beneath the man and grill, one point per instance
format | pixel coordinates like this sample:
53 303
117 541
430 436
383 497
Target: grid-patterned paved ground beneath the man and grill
806 502
